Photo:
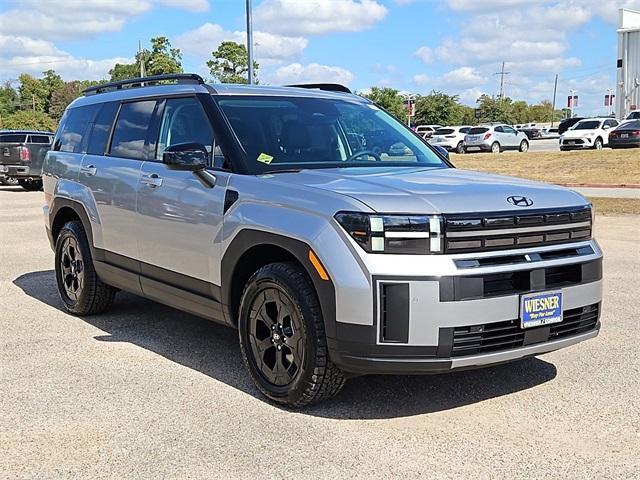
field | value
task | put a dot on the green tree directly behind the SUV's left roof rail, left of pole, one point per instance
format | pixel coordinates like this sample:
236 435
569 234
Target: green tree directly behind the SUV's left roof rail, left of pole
162 58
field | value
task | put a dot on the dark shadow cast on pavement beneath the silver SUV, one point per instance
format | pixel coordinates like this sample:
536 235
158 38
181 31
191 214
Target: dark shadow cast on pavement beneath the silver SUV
213 350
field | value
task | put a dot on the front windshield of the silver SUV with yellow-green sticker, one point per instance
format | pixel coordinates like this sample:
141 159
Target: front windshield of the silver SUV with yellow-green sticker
294 133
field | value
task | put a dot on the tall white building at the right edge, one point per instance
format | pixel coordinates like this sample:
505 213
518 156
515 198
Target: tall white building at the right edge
628 65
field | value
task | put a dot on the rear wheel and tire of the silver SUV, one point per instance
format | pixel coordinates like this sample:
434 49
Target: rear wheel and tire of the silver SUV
80 289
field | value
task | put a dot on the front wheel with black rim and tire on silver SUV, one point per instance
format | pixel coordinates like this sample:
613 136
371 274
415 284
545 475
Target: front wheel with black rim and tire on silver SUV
282 337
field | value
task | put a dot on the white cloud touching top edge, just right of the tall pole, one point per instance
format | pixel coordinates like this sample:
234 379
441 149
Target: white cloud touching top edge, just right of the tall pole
313 17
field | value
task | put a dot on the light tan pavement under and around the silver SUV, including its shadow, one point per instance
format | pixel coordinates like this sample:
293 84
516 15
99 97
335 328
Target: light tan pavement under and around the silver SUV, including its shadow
148 392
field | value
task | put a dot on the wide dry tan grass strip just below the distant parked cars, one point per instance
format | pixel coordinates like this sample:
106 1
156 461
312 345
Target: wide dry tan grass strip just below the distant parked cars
620 166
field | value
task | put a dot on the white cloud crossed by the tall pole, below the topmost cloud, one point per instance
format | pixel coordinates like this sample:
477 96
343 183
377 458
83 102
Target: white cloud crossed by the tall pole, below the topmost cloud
268 46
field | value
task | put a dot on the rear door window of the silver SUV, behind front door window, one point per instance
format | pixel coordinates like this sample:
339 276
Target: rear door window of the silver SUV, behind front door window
130 131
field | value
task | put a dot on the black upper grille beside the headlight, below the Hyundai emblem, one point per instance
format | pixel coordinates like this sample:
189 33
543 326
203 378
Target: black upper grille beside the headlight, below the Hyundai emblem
501 231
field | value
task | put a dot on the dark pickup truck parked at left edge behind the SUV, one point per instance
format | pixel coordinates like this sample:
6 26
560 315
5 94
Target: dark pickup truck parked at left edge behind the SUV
21 155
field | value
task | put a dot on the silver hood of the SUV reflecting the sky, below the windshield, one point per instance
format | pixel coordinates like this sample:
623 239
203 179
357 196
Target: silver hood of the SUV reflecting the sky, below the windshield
431 190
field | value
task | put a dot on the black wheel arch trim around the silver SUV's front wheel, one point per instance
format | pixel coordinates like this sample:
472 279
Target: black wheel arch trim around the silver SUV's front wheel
249 238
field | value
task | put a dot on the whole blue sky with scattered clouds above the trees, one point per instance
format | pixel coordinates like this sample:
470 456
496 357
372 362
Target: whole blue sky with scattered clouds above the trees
412 45
